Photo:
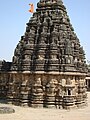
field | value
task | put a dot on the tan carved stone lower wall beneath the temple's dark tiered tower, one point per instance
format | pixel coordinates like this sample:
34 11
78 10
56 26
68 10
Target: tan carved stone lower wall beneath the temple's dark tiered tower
44 90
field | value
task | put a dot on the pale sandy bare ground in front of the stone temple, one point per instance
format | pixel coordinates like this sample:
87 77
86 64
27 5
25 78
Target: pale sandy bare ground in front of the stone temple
22 113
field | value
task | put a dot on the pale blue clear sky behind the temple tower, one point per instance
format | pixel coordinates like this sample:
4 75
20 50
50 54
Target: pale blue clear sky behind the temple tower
14 15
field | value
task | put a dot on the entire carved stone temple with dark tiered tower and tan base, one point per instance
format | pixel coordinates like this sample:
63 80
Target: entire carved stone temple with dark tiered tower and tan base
48 68
